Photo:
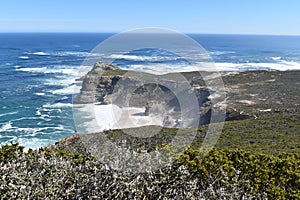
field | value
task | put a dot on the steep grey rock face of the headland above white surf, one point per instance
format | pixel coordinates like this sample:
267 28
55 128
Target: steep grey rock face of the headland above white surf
157 94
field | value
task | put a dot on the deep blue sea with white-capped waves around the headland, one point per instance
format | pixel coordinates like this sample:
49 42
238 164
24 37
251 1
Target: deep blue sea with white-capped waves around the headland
38 71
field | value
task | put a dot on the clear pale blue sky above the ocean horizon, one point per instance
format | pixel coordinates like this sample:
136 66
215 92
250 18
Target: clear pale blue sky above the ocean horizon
280 17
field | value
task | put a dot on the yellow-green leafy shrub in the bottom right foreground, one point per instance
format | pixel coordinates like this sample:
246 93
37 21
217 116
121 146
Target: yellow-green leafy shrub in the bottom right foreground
277 177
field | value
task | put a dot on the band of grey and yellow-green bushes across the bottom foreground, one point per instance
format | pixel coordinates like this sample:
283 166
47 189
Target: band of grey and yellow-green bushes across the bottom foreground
229 174
